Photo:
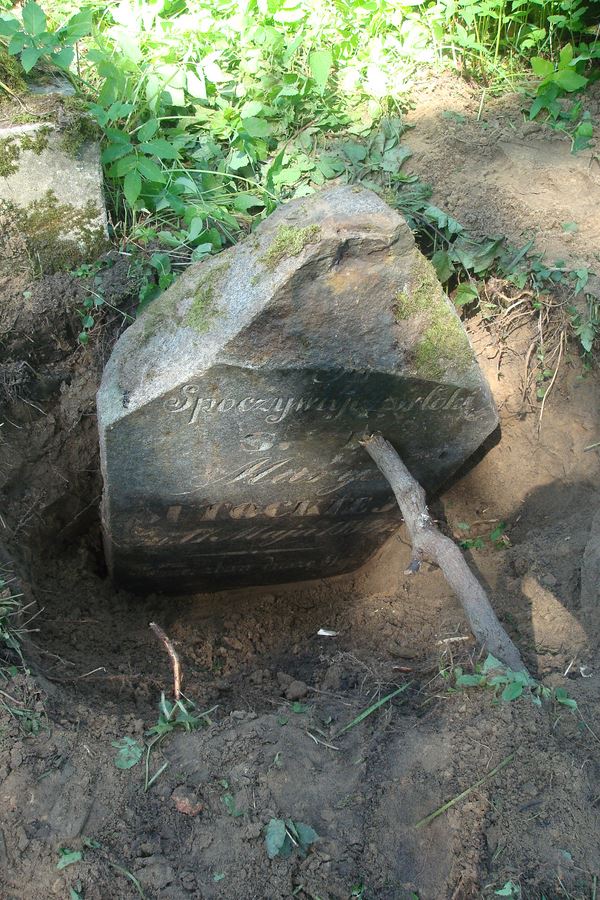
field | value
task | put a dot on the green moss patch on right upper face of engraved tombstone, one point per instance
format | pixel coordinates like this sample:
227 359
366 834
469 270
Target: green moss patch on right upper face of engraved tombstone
444 344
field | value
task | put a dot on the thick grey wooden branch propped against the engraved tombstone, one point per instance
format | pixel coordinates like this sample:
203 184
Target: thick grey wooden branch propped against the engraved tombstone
428 543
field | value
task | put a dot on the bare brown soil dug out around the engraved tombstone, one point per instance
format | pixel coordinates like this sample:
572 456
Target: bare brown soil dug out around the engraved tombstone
279 693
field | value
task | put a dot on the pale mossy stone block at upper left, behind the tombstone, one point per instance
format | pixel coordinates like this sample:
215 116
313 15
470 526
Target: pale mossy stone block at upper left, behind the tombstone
55 197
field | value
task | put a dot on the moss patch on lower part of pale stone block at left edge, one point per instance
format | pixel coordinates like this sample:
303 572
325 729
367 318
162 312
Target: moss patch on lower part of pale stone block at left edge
60 236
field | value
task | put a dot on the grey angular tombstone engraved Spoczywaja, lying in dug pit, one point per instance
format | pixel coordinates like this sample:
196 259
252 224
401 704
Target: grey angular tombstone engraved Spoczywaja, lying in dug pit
231 412
